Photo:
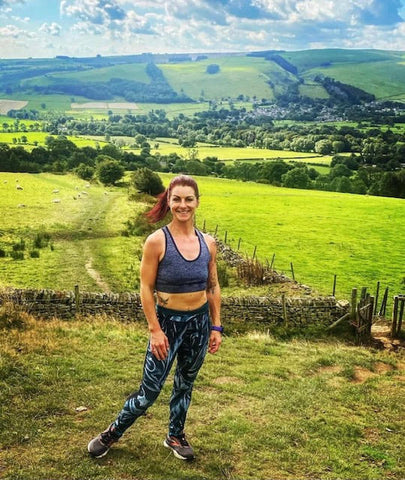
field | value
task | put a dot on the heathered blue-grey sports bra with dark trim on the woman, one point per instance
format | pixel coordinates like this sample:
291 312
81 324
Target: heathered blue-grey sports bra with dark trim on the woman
176 274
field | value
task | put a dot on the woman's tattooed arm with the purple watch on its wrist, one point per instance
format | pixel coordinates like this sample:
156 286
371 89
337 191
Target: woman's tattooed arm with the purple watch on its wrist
214 296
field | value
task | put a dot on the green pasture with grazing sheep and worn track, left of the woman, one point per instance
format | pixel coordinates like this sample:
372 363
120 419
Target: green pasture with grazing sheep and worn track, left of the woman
85 230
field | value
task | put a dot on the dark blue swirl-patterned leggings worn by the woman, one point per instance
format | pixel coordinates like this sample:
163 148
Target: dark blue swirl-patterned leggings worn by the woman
188 334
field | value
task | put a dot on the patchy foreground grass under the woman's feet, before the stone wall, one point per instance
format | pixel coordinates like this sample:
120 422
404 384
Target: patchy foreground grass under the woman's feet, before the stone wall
262 408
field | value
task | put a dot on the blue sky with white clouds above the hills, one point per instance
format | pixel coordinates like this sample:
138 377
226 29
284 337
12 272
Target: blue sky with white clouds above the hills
80 28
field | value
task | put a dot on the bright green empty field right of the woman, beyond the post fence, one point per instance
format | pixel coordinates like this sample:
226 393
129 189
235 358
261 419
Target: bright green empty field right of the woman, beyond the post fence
359 238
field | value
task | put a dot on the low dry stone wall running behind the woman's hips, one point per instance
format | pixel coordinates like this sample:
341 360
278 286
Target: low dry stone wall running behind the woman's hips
242 313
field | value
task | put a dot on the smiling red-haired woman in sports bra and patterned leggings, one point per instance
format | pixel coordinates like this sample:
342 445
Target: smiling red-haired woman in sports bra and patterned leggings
180 297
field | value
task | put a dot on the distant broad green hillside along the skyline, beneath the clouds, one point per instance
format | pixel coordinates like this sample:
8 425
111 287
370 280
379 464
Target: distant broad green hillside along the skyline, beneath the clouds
381 73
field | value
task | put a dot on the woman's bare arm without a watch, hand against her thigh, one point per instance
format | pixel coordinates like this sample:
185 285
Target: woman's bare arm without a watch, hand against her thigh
149 264
